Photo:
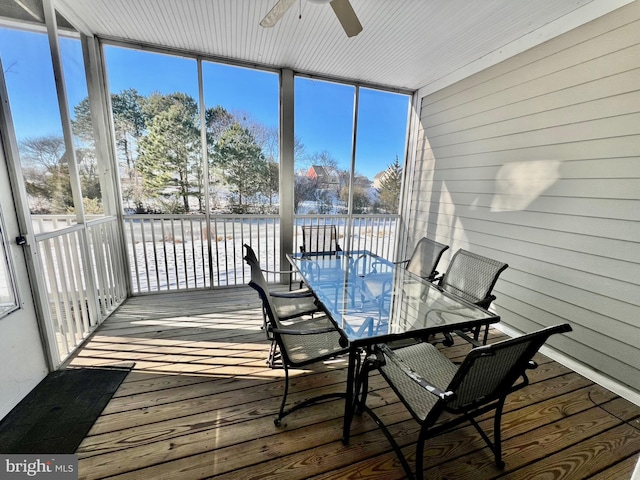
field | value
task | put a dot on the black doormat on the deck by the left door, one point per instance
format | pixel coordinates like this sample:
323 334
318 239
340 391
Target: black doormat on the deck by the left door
59 412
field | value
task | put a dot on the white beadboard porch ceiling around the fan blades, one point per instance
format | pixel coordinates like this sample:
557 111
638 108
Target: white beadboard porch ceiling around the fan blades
405 44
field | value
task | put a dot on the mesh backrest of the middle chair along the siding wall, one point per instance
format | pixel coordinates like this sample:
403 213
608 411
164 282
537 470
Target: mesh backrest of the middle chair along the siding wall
472 277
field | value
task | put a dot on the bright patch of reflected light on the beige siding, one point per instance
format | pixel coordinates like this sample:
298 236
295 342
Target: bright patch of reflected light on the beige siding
517 185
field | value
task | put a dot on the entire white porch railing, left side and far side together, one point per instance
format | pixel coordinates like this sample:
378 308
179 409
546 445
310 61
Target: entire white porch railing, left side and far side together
165 253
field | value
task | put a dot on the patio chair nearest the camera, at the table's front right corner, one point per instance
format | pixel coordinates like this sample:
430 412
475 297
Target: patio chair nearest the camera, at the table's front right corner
441 395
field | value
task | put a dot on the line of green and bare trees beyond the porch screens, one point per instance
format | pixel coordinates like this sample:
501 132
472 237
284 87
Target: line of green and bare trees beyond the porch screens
159 150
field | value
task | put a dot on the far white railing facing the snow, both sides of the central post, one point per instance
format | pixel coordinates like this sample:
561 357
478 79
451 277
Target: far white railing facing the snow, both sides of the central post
179 252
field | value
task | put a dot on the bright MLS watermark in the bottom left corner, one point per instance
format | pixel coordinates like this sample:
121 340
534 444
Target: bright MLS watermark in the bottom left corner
52 467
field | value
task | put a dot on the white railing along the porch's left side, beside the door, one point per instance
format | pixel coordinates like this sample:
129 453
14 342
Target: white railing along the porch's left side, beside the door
78 303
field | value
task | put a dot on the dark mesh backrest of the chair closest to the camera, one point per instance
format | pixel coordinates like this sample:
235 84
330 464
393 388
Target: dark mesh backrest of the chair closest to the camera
490 372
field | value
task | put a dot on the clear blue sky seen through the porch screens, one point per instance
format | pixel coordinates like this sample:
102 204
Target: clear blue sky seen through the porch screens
324 110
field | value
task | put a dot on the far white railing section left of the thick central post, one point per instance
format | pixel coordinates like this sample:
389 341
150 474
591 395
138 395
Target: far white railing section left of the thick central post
179 252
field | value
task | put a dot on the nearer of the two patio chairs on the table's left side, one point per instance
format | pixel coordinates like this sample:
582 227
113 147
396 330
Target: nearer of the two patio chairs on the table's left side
300 343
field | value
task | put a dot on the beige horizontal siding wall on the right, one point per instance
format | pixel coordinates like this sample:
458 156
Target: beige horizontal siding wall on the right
536 162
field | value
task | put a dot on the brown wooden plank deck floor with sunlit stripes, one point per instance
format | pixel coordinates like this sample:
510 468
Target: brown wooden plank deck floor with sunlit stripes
200 403
